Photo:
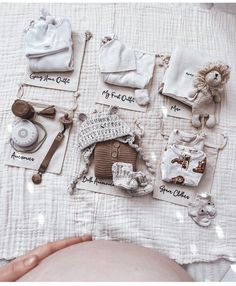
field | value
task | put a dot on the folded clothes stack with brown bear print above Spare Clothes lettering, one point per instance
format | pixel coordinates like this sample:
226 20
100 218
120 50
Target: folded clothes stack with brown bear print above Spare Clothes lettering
183 161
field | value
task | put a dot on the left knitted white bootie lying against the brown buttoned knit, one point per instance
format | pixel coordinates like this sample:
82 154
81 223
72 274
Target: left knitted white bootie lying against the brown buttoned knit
123 176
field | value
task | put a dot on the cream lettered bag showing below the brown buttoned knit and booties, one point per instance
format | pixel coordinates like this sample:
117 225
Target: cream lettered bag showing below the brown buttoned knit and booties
91 183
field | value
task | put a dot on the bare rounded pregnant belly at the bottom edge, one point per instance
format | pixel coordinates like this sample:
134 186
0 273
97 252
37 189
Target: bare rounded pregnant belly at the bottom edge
107 261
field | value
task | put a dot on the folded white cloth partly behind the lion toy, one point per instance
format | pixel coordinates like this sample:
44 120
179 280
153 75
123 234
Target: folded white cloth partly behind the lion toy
178 78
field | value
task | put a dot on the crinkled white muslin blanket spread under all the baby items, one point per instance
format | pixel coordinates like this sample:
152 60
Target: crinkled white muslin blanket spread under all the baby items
33 215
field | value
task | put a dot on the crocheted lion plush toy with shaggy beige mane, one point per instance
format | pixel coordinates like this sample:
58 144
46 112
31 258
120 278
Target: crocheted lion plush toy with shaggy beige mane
208 89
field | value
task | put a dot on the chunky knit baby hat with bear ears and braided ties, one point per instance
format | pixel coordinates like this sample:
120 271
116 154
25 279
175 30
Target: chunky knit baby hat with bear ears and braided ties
99 127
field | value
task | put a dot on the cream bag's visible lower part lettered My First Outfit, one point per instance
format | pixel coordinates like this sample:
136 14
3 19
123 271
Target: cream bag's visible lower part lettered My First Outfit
122 97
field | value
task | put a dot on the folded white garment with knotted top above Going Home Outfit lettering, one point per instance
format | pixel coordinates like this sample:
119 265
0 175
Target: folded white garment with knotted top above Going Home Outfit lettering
48 44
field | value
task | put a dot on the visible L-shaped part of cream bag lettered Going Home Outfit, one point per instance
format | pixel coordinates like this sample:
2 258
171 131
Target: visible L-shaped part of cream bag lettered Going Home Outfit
61 80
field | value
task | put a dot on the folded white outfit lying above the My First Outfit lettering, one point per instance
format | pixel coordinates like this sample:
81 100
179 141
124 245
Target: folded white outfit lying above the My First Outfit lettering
123 66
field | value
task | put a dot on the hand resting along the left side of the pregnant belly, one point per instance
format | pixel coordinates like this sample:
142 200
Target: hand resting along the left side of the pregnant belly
23 264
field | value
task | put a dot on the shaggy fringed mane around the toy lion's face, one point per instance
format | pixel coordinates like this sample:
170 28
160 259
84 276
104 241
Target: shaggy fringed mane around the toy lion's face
200 82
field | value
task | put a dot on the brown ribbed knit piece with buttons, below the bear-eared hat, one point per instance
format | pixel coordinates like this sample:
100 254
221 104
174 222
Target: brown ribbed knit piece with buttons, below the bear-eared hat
108 152
